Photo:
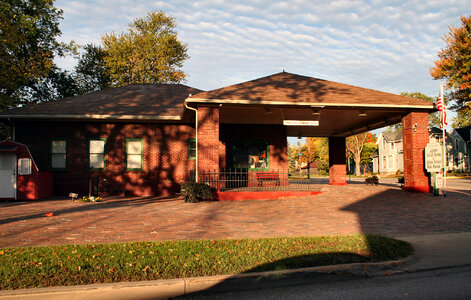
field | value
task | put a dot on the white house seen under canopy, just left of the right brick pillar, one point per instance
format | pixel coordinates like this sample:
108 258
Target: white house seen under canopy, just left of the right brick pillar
389 157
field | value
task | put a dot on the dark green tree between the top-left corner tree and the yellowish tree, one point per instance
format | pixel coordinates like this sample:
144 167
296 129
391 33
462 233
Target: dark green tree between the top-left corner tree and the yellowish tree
91 72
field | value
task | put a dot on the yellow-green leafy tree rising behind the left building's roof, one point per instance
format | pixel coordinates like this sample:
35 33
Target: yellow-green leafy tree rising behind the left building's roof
149 52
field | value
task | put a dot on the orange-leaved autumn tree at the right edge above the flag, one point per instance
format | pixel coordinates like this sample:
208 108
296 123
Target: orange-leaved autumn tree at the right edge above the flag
454 64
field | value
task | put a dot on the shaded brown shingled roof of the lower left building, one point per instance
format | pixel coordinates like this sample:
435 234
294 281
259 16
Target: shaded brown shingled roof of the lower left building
136 101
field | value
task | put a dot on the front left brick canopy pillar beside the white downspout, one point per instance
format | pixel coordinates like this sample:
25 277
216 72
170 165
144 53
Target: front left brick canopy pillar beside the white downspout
208 138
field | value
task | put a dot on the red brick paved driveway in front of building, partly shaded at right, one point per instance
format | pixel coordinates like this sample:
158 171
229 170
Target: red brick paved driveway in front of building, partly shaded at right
338 210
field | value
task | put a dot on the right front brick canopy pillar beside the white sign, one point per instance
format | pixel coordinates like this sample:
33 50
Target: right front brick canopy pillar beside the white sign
415 137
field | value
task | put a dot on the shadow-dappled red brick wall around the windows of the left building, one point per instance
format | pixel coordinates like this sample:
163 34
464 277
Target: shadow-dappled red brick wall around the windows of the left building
165 156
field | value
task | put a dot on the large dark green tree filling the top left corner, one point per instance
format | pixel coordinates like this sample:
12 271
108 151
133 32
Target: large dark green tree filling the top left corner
28 32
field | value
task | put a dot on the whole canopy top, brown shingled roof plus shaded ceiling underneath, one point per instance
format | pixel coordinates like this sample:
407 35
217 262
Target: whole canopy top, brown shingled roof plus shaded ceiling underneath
340 109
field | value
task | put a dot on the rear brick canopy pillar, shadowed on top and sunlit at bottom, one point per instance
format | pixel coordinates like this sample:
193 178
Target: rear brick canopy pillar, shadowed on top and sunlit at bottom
337 161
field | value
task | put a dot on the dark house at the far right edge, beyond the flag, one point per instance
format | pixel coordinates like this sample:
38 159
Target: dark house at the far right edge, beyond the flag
460 139
